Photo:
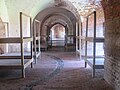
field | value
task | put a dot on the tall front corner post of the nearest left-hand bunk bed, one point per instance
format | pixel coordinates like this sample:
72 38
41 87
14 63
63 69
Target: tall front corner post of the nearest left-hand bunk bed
22 47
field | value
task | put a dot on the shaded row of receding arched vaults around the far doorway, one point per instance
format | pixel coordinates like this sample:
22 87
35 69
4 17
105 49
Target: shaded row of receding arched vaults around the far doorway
58 14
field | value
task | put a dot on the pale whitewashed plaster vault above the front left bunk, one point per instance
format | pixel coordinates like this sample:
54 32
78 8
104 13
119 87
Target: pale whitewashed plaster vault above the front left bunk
26 6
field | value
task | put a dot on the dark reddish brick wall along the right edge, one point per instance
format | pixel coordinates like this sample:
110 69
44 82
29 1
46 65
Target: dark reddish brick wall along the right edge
112 42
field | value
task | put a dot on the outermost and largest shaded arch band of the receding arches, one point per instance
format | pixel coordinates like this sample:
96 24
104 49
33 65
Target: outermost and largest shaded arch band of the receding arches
62 10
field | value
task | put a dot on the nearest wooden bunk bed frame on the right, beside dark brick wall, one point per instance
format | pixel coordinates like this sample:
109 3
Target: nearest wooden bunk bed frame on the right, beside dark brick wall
95 62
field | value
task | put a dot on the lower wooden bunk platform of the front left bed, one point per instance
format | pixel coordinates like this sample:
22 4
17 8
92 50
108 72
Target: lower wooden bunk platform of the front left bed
10 64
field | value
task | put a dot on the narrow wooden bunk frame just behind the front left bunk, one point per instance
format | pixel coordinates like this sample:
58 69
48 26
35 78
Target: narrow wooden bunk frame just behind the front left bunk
36 38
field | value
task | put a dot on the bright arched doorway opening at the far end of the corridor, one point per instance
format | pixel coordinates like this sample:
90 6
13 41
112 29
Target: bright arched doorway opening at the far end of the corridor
57 38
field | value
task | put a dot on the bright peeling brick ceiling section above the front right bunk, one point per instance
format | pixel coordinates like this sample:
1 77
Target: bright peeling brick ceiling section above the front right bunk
84 7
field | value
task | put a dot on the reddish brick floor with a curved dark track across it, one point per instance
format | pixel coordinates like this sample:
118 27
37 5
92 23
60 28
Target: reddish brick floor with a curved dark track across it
55 71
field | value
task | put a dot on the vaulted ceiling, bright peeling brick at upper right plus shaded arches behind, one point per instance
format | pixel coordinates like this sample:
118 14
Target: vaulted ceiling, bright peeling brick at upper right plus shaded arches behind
67 11
